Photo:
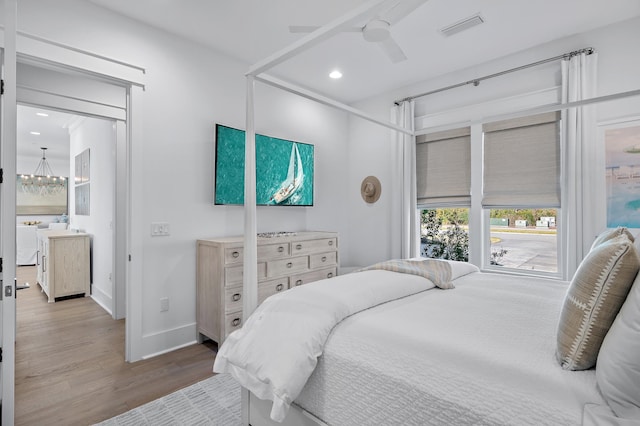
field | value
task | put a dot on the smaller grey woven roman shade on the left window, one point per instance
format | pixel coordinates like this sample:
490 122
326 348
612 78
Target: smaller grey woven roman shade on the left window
443 168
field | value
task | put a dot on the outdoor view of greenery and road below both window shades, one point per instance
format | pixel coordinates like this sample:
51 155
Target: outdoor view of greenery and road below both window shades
520 238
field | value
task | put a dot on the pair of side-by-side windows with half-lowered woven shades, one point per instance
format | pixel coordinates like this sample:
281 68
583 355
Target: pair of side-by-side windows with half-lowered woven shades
516 198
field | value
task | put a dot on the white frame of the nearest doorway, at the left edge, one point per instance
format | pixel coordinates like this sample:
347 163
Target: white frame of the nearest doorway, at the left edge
128 264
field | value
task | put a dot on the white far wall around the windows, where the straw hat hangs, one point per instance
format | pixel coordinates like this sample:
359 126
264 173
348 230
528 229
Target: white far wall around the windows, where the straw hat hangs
618 59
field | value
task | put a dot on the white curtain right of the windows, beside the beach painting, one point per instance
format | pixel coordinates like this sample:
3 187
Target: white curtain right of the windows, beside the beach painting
578 83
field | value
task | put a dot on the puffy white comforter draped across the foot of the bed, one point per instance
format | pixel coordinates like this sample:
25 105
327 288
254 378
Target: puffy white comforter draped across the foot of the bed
277 349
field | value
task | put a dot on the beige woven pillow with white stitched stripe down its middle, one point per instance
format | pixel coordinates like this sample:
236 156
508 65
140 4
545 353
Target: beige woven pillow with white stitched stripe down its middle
595 295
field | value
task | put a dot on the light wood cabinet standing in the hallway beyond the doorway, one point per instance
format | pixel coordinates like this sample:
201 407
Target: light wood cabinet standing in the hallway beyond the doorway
63 264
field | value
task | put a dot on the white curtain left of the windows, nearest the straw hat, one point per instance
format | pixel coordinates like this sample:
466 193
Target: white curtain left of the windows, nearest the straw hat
408 226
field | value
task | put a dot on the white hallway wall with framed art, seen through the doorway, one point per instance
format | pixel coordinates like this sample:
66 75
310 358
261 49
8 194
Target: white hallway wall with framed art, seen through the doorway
99 137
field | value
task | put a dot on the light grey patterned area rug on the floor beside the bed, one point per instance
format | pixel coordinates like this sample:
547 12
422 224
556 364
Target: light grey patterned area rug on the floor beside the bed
213 401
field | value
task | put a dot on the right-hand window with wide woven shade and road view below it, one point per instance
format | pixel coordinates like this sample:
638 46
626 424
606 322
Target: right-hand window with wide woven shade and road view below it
521 190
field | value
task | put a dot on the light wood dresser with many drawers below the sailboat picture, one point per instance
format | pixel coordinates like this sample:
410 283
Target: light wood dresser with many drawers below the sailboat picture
285 260
